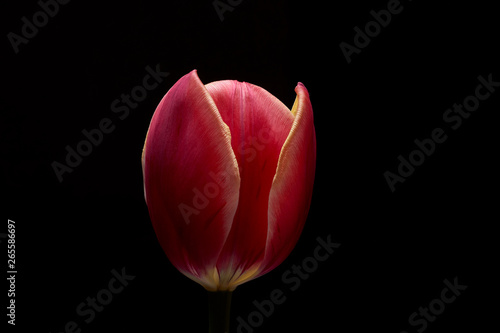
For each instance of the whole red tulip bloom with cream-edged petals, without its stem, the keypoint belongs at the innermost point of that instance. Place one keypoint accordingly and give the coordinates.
(228, 176)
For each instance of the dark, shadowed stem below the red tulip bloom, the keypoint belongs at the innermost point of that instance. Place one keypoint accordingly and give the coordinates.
(219, 304)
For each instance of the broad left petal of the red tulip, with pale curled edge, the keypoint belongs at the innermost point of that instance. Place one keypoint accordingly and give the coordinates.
(191, 179)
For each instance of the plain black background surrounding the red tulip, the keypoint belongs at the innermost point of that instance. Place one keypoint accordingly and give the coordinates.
(396, 248)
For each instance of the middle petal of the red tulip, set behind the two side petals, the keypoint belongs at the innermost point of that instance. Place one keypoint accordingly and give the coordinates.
(260, 124)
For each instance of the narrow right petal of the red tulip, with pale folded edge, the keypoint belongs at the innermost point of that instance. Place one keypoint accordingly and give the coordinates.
(292, 186)
